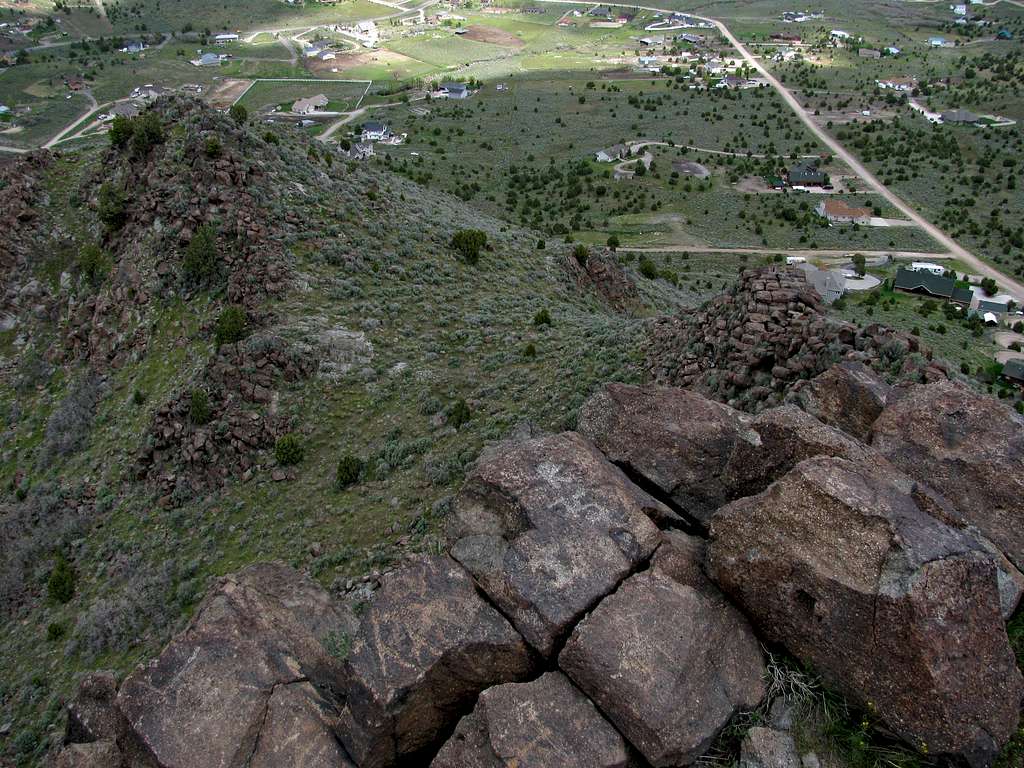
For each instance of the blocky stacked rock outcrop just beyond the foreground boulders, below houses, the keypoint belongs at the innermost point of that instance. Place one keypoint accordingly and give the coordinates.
(752, 346)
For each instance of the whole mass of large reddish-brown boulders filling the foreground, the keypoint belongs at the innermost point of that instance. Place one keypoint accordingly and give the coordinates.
(608, 596)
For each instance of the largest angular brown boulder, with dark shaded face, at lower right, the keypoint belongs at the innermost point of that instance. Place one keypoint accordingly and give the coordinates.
(844, 566)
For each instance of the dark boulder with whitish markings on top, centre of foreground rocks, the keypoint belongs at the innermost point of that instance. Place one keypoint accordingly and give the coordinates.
(548, 527)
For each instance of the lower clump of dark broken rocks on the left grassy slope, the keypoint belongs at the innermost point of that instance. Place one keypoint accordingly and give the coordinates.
(239, 383)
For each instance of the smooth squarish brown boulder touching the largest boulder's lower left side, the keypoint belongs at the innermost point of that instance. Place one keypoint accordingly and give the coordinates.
(667, 662)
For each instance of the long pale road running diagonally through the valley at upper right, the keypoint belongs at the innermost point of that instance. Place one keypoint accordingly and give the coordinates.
(1009, 284)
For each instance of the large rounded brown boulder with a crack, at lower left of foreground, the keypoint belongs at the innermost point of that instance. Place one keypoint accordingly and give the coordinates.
(205, 702)
